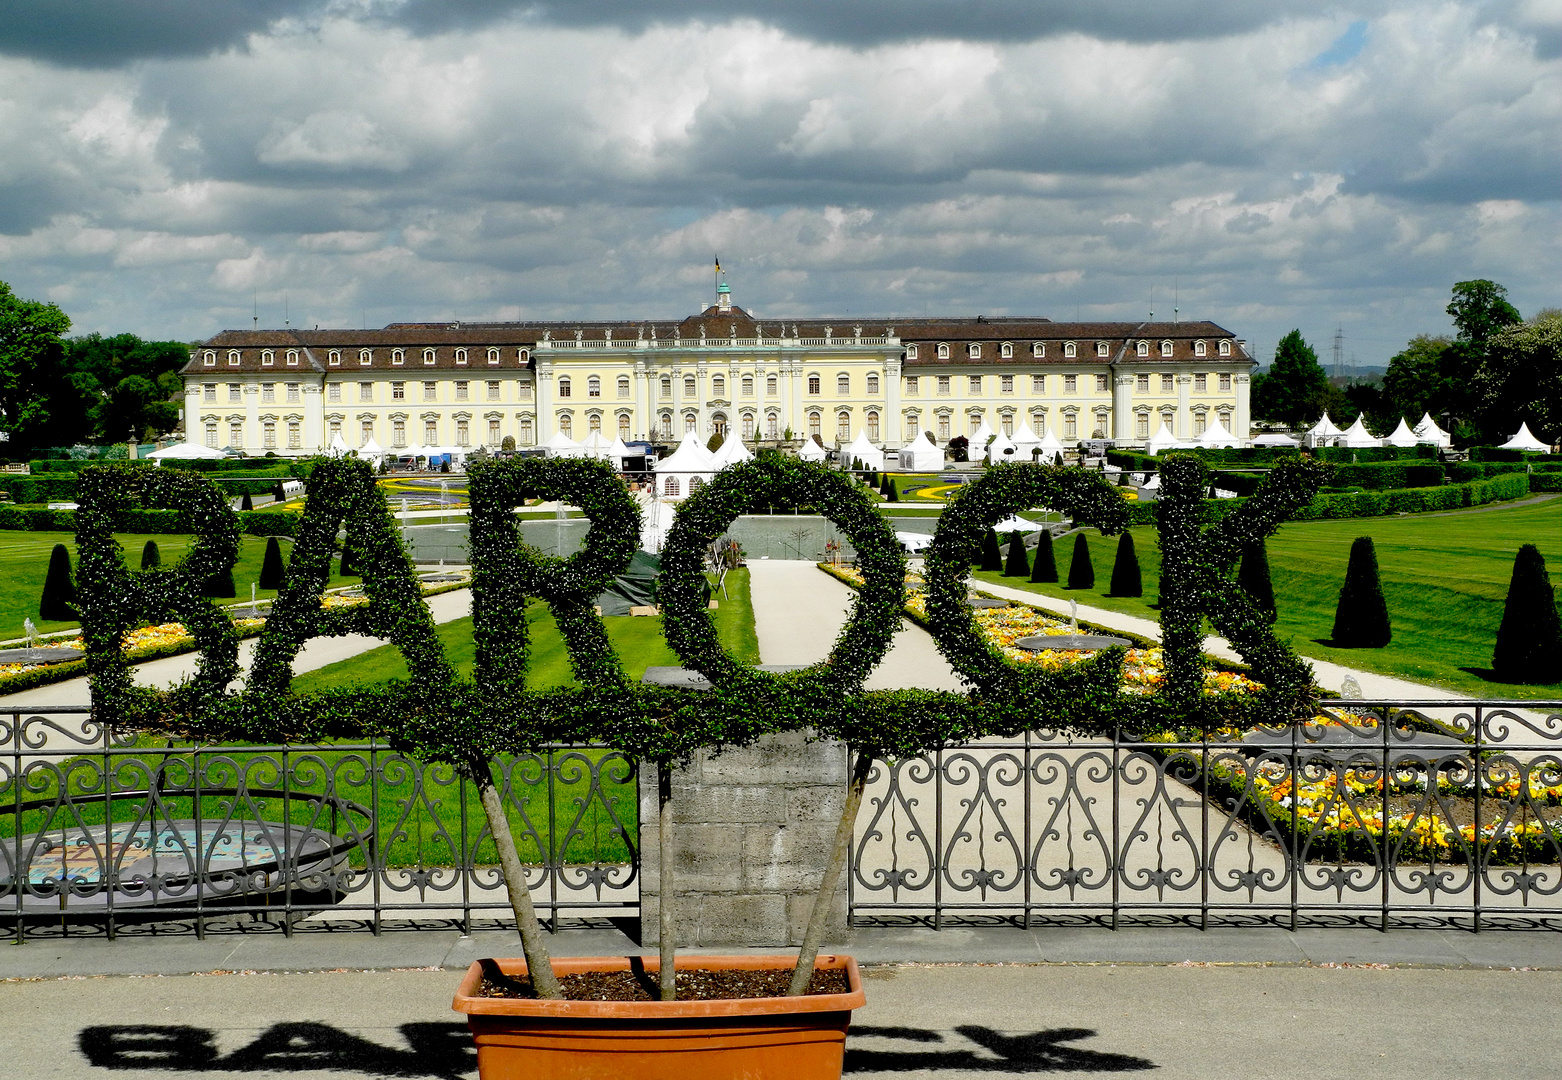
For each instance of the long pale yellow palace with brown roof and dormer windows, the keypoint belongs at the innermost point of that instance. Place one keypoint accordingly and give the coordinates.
(435, 384)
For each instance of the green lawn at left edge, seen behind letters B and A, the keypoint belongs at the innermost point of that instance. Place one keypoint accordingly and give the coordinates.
(24, 563)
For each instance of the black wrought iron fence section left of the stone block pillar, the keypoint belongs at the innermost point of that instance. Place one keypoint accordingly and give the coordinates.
(112, 834)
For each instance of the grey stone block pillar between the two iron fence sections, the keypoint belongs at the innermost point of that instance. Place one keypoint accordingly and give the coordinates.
(754, 832)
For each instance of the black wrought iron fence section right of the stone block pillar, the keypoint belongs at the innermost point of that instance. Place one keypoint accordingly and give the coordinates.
(1383, 815)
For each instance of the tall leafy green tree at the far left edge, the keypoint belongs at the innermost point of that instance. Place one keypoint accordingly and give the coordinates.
(32, 373)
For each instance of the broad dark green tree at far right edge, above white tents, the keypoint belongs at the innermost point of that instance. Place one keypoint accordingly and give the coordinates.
(1521, 381)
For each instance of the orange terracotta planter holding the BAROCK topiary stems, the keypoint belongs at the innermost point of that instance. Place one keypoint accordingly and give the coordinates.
(763, 1039)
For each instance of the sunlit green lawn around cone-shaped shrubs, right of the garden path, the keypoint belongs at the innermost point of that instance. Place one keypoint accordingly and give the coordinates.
(1446, 579)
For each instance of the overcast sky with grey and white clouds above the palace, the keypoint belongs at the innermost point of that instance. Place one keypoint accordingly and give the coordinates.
(168, 165)
